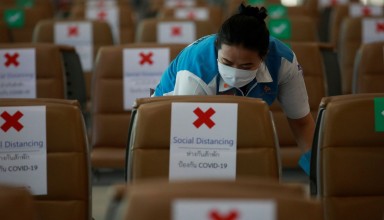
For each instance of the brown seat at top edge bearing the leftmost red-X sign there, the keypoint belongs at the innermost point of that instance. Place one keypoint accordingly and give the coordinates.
(126, 20)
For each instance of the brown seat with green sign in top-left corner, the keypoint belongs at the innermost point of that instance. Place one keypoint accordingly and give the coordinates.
(24, 30)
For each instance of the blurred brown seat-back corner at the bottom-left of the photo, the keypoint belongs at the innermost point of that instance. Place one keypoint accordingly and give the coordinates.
(16, 203)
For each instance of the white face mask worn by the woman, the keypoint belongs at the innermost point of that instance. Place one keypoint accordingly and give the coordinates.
(236, 77)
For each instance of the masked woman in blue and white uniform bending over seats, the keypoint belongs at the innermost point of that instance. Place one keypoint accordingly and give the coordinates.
(242, 59)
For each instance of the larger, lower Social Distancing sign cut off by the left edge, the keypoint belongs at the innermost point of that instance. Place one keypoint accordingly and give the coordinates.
(23, 147)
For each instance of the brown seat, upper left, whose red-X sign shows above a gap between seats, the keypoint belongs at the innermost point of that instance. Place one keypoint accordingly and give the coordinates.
(101, 36)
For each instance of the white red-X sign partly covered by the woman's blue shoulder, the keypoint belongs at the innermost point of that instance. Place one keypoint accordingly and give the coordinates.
(142, 69)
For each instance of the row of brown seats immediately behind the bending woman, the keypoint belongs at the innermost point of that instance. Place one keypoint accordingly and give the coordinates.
(110, 119)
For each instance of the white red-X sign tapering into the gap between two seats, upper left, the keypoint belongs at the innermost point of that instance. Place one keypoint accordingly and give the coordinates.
(79, 35)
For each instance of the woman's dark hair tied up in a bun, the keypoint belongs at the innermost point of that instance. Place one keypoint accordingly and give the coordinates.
(247, 28)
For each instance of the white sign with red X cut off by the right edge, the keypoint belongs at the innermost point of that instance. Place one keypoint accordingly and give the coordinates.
(373, 30)
